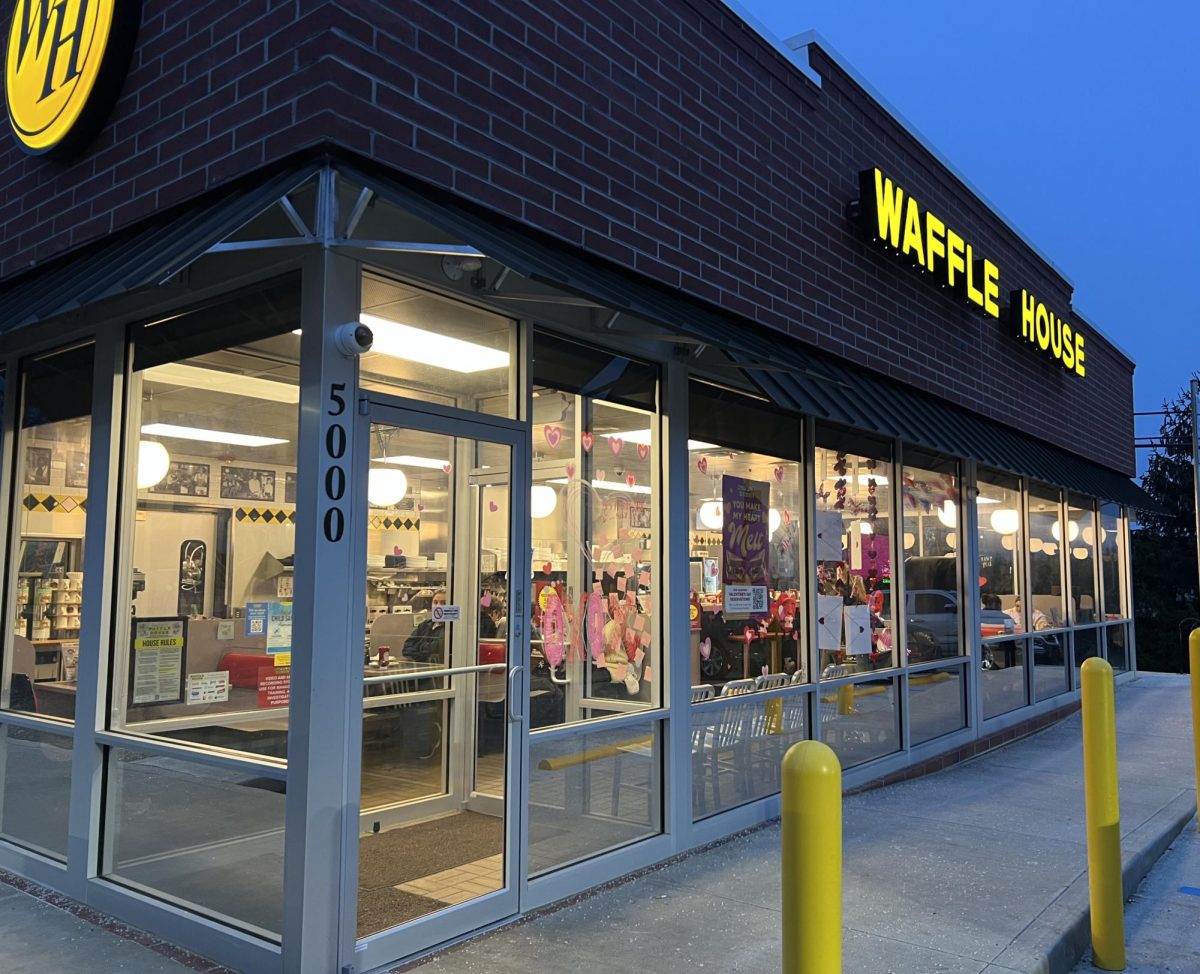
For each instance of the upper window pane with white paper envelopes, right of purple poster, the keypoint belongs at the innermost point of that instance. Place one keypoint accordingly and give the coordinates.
(854, 556)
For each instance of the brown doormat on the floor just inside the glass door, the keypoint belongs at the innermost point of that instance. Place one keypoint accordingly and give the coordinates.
(413, 852)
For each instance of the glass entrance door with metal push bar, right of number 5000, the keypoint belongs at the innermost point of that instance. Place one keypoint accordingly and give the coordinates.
(443, 696)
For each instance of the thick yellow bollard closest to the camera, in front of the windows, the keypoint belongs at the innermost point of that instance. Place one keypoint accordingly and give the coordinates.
(812, 807)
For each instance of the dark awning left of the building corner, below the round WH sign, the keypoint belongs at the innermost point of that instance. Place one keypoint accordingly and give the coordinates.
(148, 254)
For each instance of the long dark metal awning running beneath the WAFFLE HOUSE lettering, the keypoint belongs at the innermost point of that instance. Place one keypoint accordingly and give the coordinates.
(797, 378)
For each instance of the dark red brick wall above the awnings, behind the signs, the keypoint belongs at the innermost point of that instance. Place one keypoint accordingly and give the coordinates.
(667, 137)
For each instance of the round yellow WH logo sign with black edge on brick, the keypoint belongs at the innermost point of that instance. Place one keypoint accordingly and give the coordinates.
(64, 65)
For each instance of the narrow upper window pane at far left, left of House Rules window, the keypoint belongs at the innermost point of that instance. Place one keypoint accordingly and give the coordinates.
(47, 534)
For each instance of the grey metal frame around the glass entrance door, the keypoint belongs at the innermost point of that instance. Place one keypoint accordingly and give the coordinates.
(454, 922)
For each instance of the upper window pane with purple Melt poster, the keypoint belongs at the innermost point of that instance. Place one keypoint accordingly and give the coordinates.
(745, 513)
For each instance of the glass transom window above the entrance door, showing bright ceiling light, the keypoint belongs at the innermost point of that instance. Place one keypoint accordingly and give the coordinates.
(436, 350)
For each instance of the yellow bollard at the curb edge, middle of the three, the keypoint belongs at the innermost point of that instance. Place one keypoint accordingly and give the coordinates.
(1101, 795)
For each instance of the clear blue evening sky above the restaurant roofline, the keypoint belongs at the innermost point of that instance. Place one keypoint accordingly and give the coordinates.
(1079, 122)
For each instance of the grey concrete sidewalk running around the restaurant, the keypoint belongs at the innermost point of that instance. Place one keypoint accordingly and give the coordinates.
(979, 869)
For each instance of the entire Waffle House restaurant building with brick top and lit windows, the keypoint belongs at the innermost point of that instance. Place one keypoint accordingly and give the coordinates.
(449, 454)
